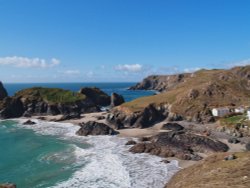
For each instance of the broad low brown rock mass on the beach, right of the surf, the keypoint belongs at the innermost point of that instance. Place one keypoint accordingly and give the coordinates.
(182, 145)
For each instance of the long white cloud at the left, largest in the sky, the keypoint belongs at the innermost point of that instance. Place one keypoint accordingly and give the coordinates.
(25, 62)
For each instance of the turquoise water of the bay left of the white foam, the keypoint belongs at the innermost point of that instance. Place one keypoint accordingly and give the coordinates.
(32, 160)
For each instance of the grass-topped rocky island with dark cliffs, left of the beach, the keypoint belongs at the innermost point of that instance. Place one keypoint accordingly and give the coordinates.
(49, 101)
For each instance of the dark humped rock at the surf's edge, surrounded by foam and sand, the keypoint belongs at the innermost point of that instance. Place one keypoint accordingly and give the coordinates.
(95, 128)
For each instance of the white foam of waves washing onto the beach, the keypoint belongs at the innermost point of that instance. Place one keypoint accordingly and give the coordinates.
(109, 165)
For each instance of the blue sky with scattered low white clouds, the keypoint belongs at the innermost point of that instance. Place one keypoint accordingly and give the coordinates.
(119, 40)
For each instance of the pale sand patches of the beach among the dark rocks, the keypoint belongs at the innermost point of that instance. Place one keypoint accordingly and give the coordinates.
(136, 133)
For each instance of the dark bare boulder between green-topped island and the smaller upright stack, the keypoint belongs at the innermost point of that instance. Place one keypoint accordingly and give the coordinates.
(96, 95)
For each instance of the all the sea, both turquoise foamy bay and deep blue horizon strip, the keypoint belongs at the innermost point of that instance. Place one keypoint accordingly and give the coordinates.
(49, 154)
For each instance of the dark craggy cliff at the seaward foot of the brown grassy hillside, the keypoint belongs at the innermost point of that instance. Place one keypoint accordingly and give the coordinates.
(148, 117)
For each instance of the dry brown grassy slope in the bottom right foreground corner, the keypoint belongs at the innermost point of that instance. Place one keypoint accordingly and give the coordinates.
(215, 172)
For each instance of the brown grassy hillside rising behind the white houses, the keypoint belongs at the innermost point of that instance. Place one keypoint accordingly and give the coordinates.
(205, 89)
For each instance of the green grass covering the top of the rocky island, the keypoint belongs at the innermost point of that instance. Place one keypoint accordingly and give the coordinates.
(51, 95)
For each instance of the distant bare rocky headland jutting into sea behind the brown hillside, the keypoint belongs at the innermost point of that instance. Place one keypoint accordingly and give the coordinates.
(161, 82)
